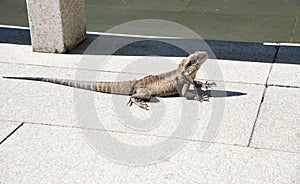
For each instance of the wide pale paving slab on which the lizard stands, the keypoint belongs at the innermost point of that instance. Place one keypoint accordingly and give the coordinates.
(47, 103)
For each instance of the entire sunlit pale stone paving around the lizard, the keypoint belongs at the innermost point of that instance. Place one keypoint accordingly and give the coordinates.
(247, 133)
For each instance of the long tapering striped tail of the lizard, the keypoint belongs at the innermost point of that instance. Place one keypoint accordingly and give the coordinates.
(122, 88)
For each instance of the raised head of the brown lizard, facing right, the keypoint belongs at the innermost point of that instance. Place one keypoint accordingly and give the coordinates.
(190, 65)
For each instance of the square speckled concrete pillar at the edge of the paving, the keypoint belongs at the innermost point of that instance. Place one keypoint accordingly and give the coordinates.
(56, 26)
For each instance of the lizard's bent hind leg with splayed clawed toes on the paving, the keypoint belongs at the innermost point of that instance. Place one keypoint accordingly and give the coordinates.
(140, 98)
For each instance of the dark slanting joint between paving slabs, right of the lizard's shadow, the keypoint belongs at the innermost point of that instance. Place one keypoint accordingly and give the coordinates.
(277, 47)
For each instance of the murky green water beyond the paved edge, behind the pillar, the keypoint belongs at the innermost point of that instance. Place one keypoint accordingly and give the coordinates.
(234, 20)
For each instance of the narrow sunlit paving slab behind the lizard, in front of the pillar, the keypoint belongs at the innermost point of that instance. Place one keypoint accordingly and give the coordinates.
(223, 70)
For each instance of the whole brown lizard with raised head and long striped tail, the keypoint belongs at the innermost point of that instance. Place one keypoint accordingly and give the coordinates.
(167, 84)
